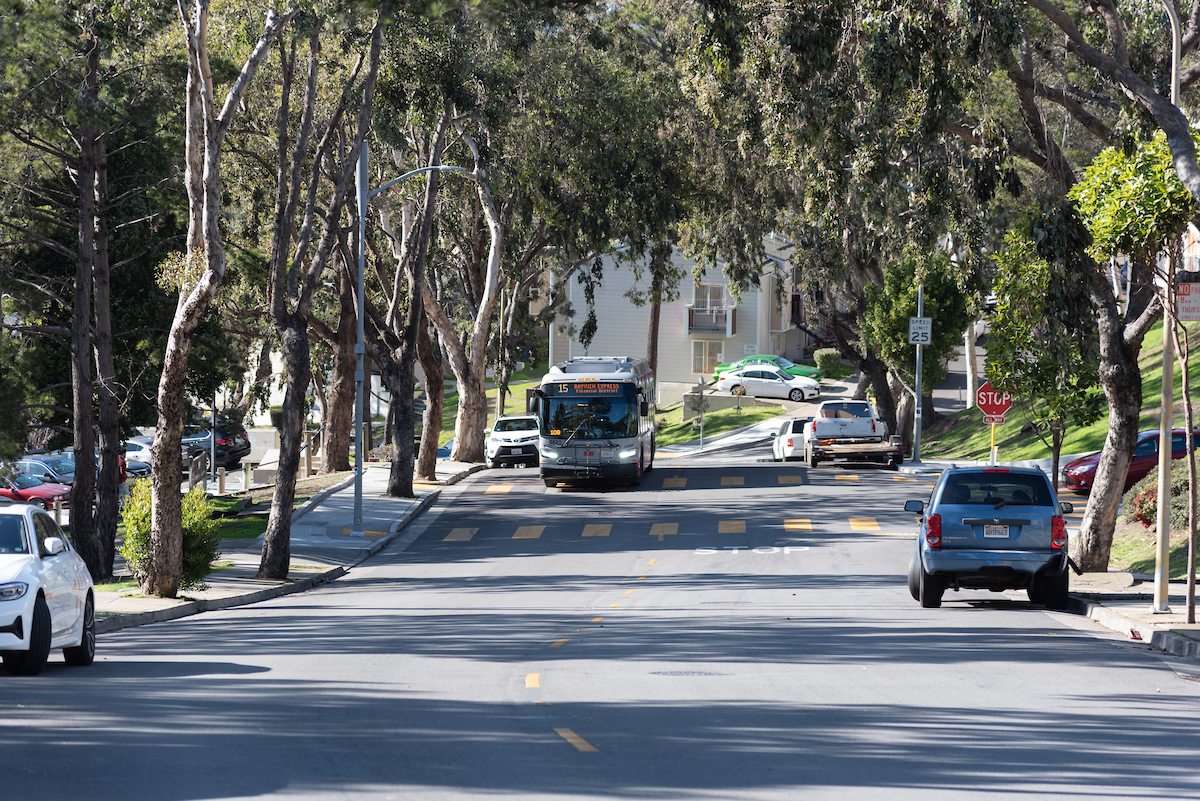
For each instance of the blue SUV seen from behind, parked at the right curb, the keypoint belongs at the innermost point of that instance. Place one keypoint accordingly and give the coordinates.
(991, 529)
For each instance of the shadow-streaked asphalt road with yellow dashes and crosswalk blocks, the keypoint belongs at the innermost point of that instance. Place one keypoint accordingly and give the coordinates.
(734, 629)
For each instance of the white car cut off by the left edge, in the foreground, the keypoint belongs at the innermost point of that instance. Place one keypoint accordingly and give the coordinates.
(46, 593)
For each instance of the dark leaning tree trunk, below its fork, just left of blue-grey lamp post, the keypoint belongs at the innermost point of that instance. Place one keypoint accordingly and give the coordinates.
(278, 540)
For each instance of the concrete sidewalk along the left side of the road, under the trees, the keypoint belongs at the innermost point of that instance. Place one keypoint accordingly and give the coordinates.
(323, 547)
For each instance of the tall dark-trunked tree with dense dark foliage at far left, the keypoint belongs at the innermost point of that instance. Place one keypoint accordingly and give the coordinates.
(85, 124)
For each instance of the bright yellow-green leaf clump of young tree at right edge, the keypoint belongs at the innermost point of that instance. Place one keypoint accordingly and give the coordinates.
(1133, 203)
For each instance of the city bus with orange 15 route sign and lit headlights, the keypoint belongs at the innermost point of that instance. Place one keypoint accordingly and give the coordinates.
(596, 418)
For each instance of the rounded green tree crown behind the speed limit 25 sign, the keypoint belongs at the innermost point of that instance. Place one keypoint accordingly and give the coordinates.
(889, 309)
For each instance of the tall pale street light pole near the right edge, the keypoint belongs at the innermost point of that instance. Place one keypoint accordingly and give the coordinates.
(1163, 550)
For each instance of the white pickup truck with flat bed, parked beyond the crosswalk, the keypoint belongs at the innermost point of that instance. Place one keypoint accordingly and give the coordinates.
(849, 431)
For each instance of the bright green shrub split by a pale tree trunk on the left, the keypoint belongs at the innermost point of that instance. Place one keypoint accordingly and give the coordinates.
(201, 535)
